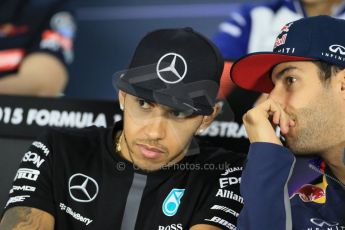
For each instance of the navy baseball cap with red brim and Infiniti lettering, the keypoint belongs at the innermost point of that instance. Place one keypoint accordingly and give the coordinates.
(307, 39)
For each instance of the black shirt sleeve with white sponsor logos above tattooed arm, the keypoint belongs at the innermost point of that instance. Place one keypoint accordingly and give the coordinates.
(32, 184)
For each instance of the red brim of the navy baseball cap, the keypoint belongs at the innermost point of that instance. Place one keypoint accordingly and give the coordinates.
(252, 72)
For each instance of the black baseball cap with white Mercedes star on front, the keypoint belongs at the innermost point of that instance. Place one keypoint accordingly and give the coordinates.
(178, 68)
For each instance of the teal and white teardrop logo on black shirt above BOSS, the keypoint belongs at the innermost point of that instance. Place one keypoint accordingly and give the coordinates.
(172, 202)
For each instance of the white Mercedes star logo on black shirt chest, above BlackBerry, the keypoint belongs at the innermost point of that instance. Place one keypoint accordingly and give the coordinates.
(82, 188)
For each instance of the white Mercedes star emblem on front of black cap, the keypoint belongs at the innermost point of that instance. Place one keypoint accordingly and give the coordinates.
(171, 68)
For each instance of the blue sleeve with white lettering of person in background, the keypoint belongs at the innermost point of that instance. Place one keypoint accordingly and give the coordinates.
(233, 34)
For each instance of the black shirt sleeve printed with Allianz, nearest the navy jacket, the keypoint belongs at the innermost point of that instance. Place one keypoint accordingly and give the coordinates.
(223, 202)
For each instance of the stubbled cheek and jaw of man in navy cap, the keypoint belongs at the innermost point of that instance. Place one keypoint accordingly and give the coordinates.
(317, 127)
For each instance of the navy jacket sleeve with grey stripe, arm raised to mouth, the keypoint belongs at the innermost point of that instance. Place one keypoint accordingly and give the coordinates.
(264, 188)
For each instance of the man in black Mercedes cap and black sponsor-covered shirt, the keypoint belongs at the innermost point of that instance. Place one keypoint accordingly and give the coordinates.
(147, 172)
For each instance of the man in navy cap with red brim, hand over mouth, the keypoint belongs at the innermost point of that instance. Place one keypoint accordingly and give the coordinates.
(305, 79)
